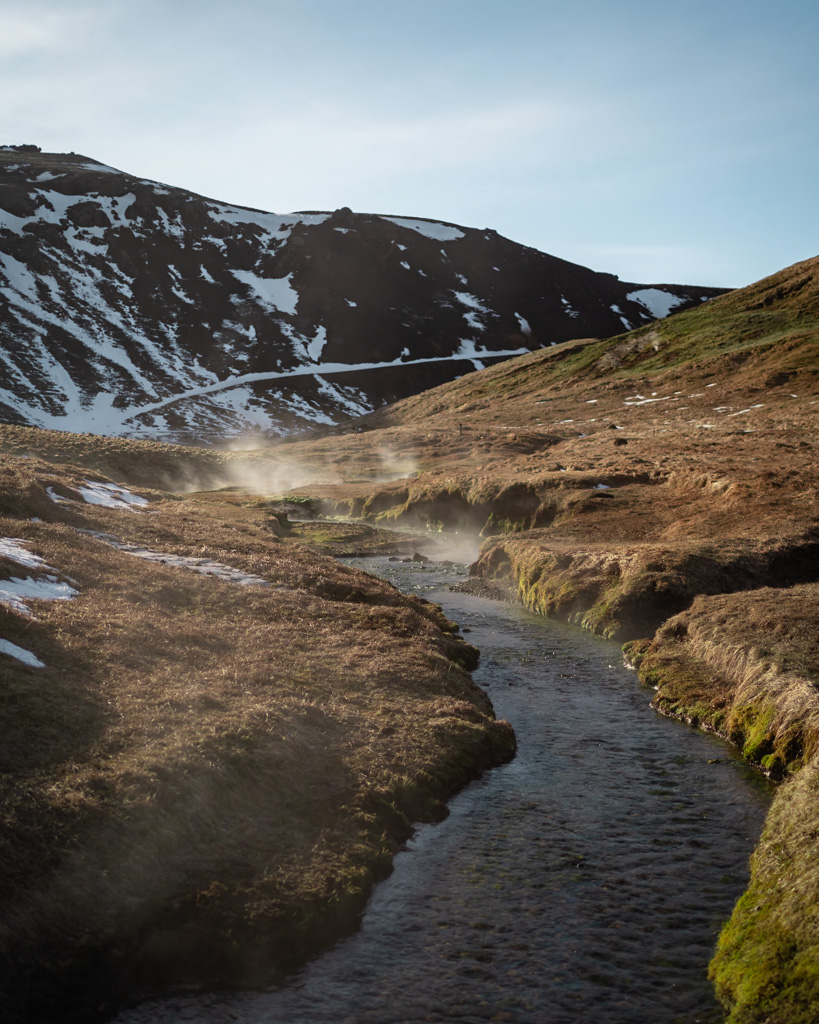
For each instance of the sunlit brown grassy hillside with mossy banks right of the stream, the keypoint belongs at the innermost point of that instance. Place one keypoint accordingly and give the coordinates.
(708, 528)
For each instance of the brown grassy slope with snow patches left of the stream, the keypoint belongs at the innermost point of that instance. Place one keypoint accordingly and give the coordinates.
(205, 779)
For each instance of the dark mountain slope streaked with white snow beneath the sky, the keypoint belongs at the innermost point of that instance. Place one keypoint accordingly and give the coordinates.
(133, 309)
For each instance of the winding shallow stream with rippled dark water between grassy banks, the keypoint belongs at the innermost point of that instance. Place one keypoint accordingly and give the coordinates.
(585, 883)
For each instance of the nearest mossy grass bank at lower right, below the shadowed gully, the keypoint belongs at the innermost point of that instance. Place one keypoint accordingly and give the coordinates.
(747, 666)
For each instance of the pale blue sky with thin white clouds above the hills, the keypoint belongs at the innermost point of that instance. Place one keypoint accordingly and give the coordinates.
(662, 143)
